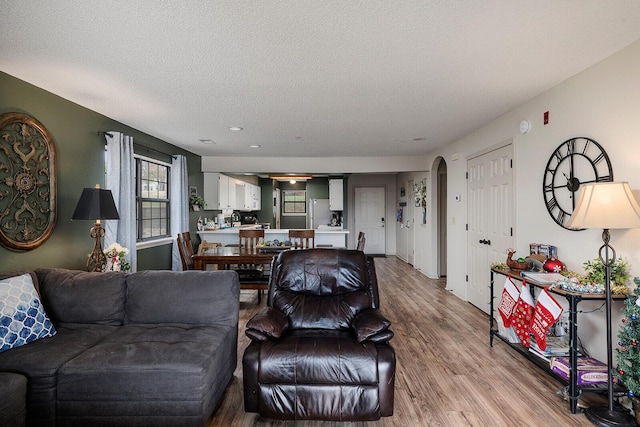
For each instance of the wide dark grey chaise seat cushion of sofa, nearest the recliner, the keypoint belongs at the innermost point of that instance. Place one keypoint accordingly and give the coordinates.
(150, 370)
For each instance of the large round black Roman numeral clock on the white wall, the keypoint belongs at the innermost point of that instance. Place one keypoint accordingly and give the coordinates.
(575, 162)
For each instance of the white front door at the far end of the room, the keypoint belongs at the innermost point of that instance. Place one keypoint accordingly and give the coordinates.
(369, 217)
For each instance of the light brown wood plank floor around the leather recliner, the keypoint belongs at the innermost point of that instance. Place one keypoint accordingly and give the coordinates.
(447, 375)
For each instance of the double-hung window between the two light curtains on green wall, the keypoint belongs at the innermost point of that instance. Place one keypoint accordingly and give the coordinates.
(152, 199)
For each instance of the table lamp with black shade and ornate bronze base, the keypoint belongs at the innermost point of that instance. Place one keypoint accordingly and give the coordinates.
(96, 203)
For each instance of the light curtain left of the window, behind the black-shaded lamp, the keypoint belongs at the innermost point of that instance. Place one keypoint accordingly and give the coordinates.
(121, 181)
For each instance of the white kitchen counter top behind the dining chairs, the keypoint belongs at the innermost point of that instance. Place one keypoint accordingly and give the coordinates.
(333, 237)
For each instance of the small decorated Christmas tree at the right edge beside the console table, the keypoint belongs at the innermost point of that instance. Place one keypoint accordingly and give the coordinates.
(628, 352)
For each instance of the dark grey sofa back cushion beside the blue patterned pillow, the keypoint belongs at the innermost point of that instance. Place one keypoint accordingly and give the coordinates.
(73, 296)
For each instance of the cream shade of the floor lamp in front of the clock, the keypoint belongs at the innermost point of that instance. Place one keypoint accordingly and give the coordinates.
(606, 205)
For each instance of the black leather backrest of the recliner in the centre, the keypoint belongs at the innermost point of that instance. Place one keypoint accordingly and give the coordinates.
(322, 288)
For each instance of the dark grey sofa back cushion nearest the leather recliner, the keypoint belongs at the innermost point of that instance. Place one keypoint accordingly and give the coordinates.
(194, 297)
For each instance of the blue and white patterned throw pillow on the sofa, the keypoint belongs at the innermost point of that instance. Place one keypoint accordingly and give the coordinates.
(22, 317)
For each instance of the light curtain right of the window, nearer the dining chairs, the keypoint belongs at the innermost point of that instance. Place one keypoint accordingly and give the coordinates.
(179, 206)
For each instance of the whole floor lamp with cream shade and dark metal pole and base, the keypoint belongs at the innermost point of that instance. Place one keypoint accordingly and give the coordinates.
(607, 205)
